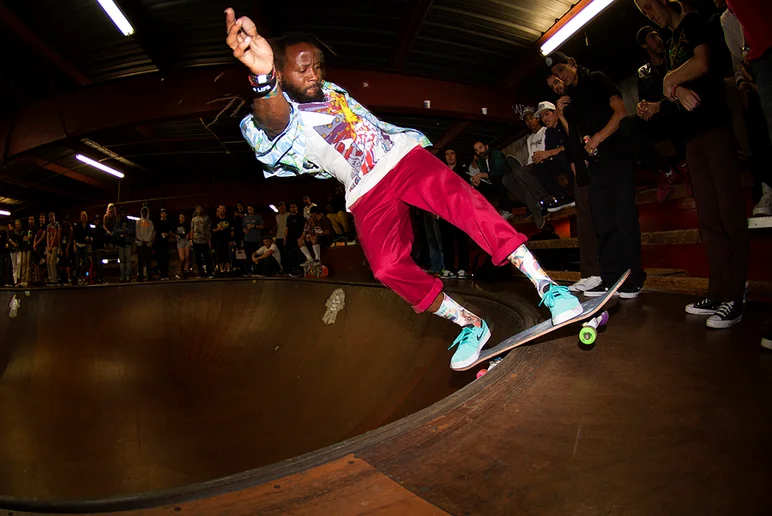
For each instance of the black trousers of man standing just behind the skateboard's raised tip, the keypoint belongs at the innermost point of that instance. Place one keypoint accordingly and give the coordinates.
(612, 198)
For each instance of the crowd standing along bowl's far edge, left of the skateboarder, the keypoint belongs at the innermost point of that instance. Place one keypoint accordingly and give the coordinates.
(44, 251)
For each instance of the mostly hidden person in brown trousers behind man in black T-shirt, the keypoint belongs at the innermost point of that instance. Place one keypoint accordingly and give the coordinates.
(589, 266)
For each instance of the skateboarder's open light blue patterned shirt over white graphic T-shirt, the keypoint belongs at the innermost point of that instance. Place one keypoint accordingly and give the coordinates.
(286, 154)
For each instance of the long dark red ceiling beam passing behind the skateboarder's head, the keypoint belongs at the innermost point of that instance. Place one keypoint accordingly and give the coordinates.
(199, 92)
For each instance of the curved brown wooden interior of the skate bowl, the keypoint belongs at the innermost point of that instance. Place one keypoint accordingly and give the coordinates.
(118, 397)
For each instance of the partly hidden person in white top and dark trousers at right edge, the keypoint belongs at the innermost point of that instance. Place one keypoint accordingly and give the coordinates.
(759, 136)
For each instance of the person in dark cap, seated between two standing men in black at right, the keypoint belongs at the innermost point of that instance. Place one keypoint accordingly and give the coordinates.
(643, 129)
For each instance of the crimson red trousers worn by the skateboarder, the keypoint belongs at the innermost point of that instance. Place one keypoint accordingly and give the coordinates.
(383, 223)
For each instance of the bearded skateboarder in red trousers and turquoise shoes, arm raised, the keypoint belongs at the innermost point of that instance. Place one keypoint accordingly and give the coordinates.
(301, 123)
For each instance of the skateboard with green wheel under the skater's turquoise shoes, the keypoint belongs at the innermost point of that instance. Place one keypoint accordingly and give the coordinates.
(591, 317)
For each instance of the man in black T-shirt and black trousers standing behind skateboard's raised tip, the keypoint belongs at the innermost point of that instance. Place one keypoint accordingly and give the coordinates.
(596, 111)
